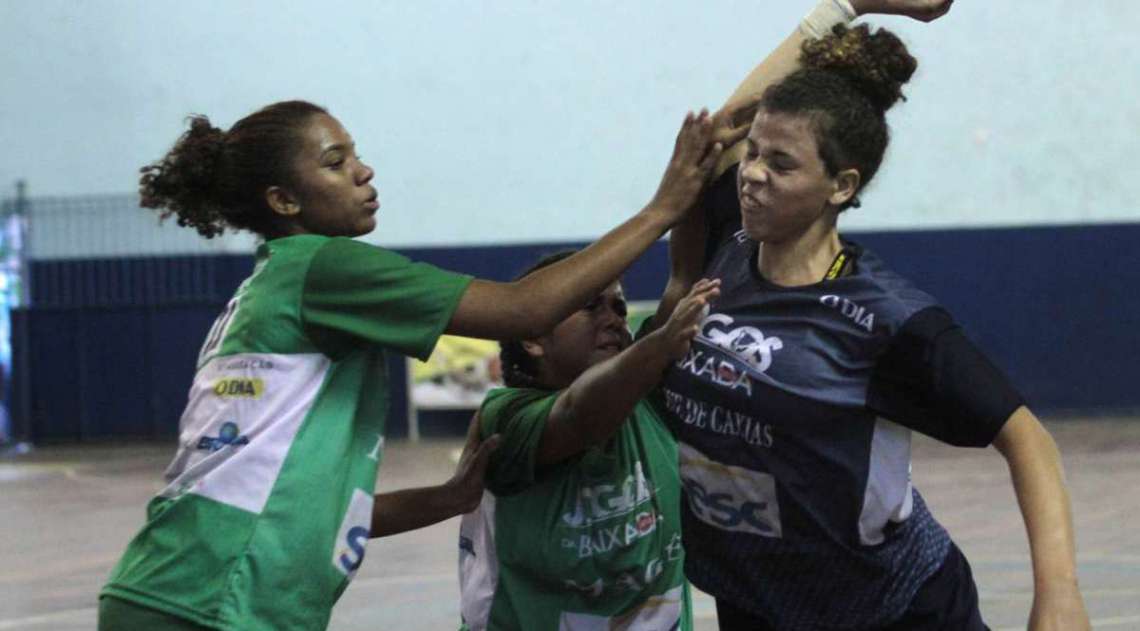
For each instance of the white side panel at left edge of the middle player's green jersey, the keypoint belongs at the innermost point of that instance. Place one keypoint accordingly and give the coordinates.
(478, 564)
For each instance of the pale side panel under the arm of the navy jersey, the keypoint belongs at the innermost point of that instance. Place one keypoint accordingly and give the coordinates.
(889, 482)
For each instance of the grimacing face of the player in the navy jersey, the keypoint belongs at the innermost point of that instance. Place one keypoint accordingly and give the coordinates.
(783, 183)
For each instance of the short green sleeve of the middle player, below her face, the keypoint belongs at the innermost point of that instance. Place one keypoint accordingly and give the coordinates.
(519, 415)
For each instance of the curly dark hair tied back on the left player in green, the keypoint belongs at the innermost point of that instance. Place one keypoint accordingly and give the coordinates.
(213, 179)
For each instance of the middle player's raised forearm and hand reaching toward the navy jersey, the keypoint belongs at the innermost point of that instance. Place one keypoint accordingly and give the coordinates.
(598, 403)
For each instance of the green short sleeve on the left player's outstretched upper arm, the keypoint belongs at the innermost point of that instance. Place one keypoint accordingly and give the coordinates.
(355, 292)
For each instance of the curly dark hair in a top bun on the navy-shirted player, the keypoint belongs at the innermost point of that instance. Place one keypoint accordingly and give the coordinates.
(849, 83)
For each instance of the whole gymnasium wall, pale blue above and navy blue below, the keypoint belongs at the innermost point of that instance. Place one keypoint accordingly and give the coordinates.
(1008, 191)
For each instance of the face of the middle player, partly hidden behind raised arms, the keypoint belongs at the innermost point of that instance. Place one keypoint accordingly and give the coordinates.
(593, 334)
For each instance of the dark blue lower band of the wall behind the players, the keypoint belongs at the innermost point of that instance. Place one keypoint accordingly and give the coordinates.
(109, 349)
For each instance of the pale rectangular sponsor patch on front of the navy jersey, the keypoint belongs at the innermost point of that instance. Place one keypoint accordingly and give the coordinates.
(730, 498)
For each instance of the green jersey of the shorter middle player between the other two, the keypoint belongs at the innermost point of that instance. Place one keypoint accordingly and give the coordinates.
(589, 544)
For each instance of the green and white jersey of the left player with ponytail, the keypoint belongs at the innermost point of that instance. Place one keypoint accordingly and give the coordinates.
(270, 501)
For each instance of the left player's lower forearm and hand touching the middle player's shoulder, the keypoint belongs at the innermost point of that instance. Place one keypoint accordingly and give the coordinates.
(414, 509)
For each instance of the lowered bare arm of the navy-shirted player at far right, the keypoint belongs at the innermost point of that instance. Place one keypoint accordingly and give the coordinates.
(1039, 481)
